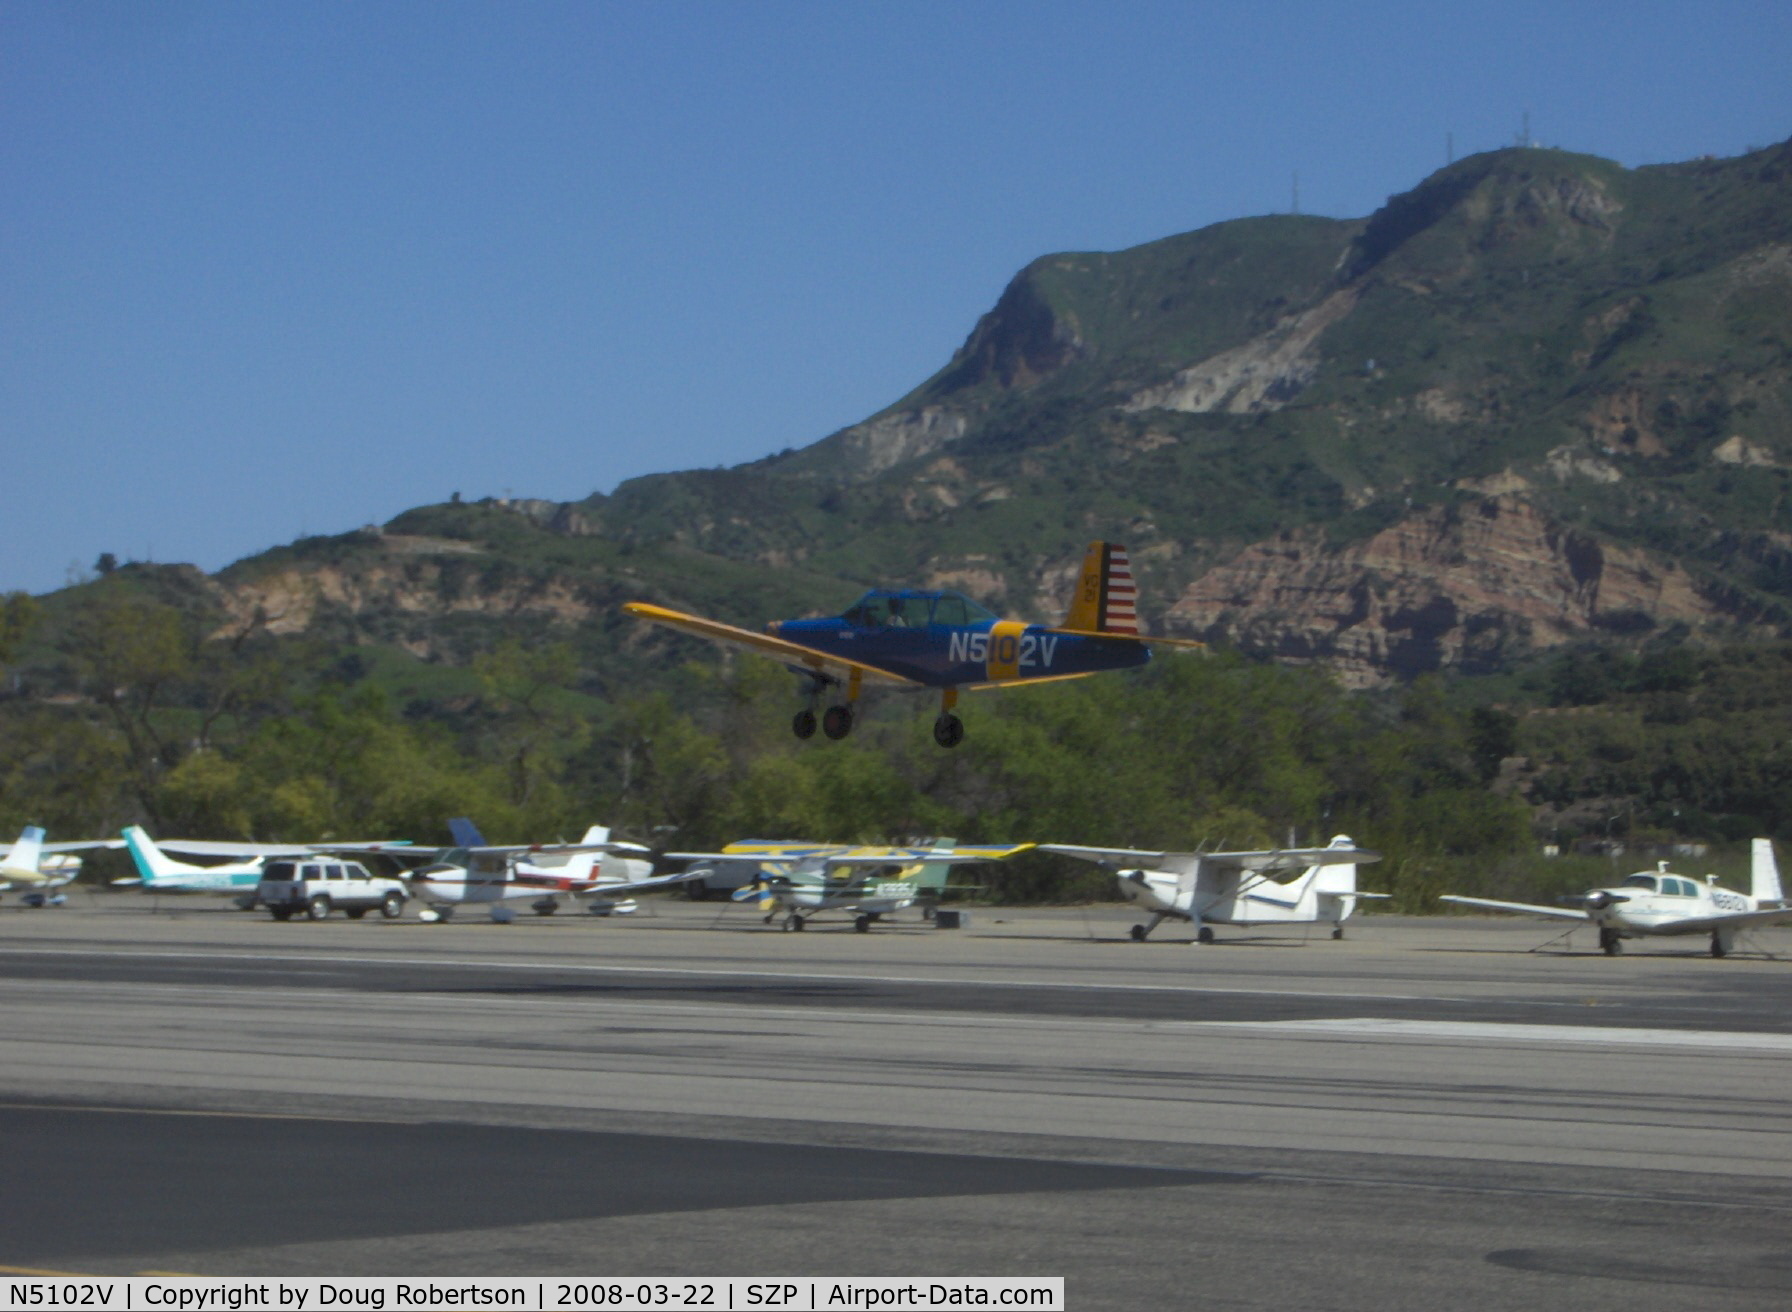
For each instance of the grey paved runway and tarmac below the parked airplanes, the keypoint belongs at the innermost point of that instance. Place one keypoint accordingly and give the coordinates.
(1427, 1114)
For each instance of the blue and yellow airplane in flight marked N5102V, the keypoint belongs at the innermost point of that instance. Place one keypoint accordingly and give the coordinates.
(918, 639)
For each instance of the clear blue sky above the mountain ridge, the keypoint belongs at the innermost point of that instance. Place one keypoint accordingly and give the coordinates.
(279, 270)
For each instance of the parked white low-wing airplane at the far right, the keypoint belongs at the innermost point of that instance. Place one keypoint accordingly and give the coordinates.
(1660, 902)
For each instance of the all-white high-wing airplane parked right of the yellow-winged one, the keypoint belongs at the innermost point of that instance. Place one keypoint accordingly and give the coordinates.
(1237, 888)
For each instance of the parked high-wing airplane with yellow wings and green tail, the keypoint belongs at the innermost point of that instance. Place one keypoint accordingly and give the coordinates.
(866, 883)
